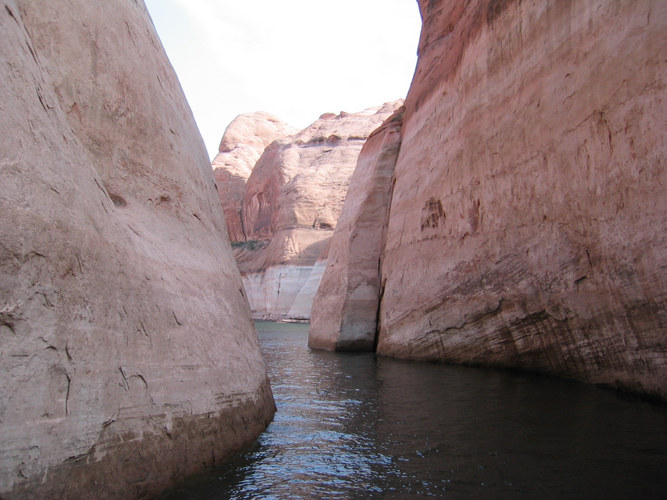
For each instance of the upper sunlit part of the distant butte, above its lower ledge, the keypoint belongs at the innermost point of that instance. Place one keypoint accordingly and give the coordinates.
(301, 181)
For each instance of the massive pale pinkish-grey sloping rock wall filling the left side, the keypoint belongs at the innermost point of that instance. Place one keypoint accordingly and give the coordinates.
(127, 352)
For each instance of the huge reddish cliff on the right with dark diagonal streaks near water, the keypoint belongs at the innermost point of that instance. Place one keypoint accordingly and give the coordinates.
(528, 221)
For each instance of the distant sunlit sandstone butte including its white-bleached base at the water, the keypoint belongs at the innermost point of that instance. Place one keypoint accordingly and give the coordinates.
(293, 199)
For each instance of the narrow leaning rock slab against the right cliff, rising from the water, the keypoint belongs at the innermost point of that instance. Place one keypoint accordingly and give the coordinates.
(345, 308)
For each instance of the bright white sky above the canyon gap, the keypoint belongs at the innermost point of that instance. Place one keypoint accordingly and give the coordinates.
(296, 59)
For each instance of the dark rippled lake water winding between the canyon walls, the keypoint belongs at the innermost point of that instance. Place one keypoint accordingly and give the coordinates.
(358, 426)
